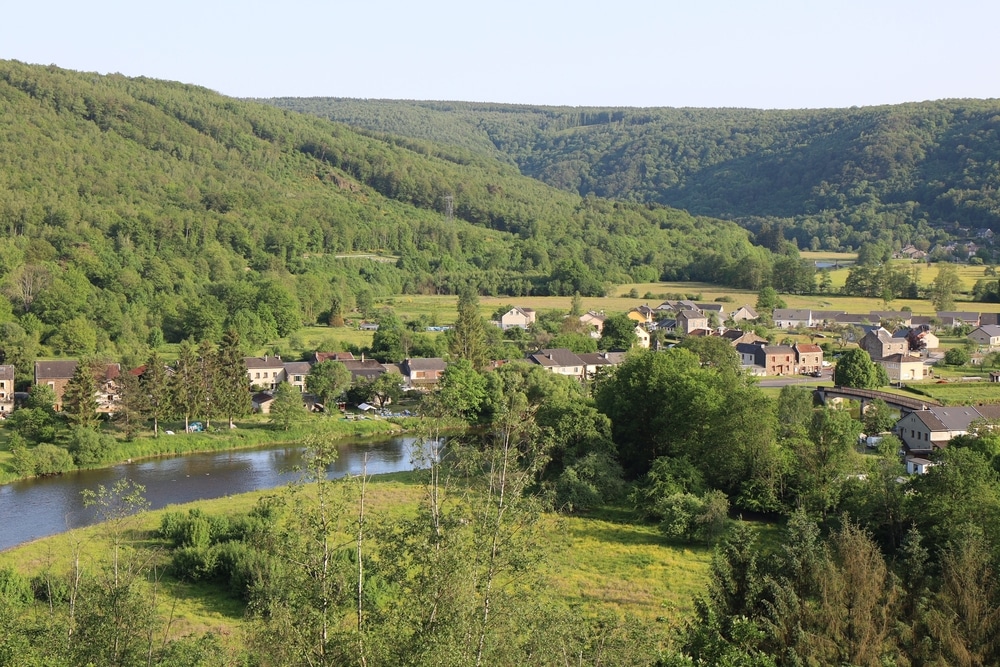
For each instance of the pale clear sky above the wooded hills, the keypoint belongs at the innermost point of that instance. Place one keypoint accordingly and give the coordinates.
(769, 54)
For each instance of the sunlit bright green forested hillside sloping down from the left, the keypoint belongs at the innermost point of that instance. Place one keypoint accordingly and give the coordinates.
(135, 209)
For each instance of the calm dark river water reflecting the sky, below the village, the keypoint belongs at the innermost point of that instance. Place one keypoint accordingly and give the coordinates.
(36, 508)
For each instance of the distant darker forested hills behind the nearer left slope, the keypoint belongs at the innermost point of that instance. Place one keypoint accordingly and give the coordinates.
(835, 177)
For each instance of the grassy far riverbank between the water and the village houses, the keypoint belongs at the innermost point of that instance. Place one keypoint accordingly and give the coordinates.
(247, 434)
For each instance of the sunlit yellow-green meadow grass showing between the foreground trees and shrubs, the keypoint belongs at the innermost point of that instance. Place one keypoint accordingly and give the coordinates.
(603, 563)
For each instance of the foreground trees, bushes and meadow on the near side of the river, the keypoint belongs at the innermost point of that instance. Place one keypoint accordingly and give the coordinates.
(866, 569)
